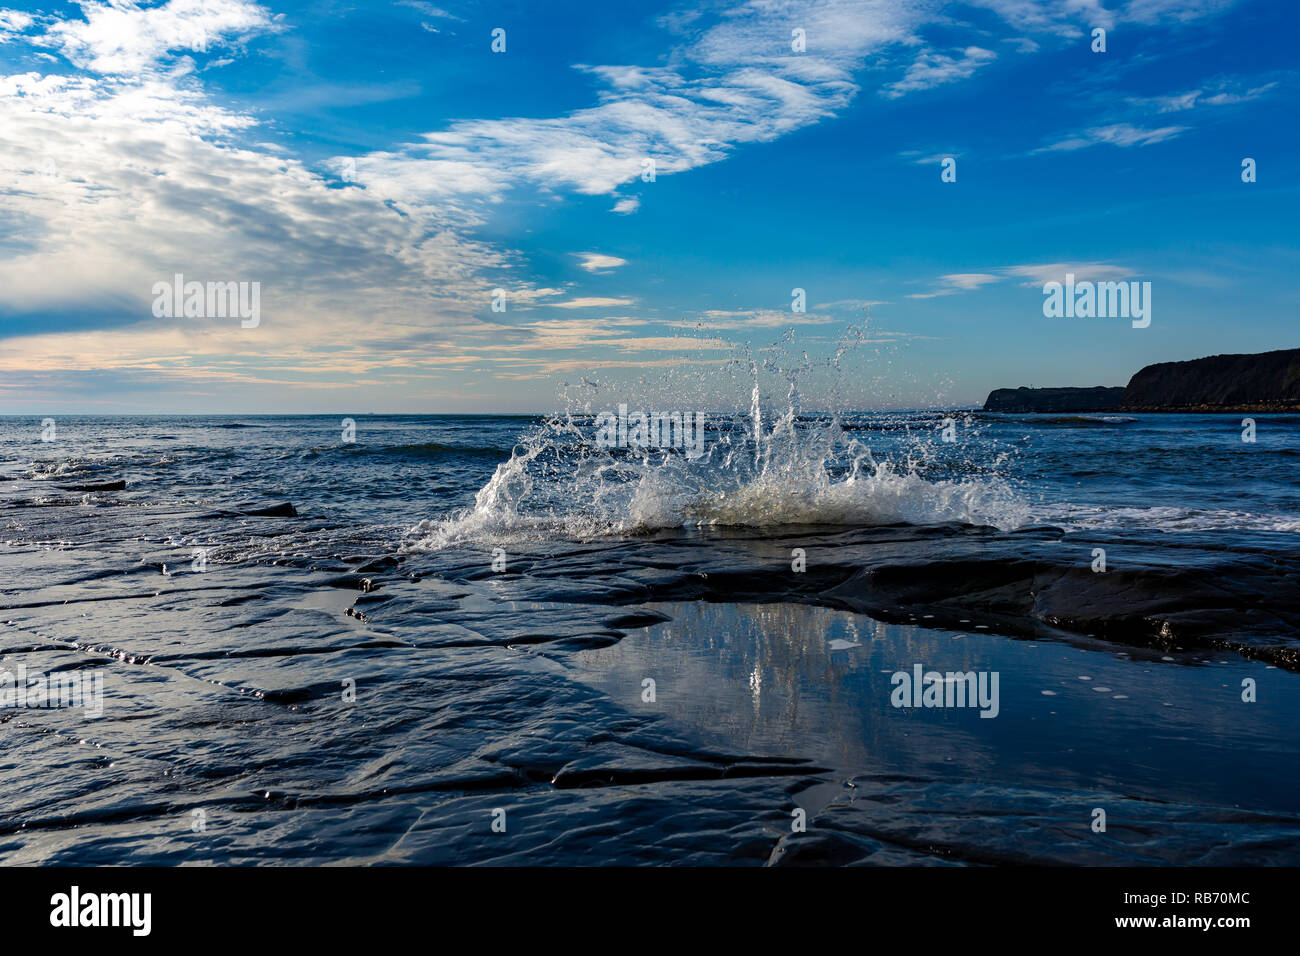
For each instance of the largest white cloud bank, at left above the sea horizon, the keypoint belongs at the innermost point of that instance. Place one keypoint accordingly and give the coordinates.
(110, 185)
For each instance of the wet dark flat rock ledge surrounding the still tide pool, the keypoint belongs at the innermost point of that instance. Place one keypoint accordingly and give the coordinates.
(228, 734)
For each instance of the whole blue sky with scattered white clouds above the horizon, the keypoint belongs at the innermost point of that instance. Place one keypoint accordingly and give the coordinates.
(379, 171)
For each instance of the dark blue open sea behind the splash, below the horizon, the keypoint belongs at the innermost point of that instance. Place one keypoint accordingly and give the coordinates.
(1146, 473)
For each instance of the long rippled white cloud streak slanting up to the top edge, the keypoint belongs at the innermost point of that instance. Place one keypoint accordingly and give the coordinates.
(727, 85)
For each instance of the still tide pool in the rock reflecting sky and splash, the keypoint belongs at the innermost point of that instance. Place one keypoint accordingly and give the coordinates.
(799, 681)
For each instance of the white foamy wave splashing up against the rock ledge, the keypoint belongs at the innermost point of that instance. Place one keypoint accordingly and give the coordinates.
(561, 482)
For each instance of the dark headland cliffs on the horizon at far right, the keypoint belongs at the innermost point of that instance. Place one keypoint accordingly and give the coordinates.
(1247, 383)
